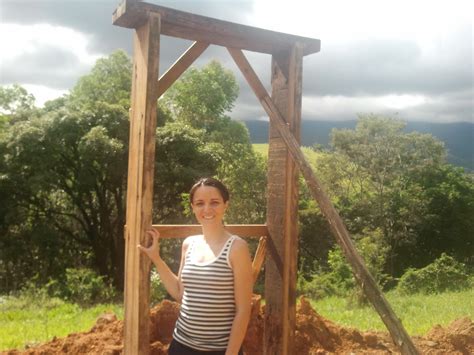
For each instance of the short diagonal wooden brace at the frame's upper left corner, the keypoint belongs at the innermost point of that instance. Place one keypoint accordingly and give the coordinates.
(180, 66)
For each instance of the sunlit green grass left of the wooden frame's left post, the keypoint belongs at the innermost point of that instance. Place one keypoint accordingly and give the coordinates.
(28, 321)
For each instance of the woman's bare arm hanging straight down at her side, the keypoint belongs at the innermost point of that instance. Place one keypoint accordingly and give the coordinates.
(243, 285)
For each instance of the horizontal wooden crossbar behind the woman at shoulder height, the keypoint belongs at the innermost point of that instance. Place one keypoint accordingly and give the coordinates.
(185, 230)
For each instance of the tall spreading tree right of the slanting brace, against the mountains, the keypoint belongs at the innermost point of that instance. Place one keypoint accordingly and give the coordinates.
(388, 158)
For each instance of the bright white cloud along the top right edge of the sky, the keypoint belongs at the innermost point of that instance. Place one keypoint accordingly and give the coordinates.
(345, 21)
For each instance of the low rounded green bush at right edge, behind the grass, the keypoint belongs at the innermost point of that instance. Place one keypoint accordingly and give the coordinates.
(444, 274)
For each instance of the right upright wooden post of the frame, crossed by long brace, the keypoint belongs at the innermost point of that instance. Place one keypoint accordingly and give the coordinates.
(282, 207)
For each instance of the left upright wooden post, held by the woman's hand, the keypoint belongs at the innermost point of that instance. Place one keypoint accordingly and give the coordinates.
(140, 183)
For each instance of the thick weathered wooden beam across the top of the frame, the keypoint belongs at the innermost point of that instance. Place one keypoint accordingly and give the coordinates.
(193, 27)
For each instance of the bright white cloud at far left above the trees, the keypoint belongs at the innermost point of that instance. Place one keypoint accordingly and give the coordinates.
(47, 59)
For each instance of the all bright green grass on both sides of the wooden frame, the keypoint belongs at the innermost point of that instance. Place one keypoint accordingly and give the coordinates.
(28, 322)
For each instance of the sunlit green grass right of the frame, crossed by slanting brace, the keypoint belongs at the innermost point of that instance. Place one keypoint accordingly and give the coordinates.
(419, 313)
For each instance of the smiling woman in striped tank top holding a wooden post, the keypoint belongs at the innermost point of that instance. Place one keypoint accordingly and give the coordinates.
(214, 282)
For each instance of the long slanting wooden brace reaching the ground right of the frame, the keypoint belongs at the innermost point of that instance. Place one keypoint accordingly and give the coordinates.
(362, 275)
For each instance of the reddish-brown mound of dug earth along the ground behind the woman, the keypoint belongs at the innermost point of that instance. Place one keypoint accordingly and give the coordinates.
(314, 335)
